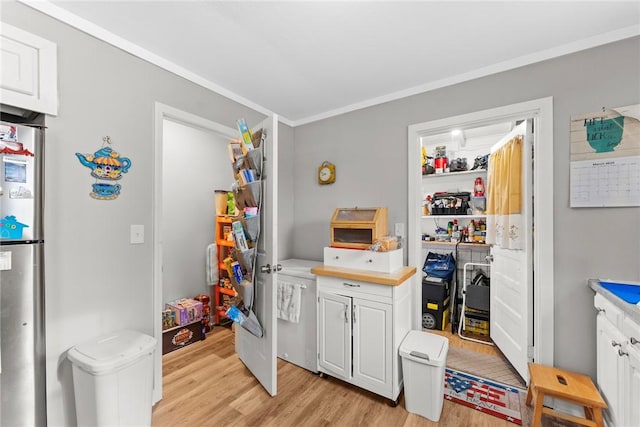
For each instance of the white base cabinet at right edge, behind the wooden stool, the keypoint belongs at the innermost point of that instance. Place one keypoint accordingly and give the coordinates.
(618, 363)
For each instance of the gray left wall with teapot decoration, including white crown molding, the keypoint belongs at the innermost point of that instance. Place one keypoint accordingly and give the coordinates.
(96, 281)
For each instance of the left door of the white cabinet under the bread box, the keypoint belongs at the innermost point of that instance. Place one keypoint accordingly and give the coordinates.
(334, 334)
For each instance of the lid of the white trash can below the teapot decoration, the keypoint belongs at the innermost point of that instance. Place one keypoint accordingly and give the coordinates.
(111, 352)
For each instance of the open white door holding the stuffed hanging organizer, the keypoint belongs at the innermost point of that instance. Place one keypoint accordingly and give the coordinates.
(259, 354)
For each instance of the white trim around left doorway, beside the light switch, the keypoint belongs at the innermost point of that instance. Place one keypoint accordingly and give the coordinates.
(164, 112)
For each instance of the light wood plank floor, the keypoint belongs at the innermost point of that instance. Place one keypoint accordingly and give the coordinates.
(205, 384)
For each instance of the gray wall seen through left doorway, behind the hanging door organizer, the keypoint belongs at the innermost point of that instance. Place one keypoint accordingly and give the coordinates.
(195, 163)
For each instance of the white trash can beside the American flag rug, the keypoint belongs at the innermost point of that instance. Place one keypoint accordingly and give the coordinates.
(424, 356)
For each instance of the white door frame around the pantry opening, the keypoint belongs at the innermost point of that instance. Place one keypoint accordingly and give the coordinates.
(541, 110)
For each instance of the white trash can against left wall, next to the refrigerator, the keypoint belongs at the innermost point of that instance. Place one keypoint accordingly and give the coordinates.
(113, 379)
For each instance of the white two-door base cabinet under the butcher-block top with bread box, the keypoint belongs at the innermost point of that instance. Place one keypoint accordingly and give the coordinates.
(360, 327)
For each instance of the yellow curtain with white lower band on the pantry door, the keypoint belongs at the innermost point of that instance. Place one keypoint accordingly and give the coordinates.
(504, 196)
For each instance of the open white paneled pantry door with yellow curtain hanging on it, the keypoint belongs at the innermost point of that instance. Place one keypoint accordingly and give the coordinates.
(511, 307)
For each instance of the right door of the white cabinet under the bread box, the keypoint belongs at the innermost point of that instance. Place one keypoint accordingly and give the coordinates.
(372, 345)
